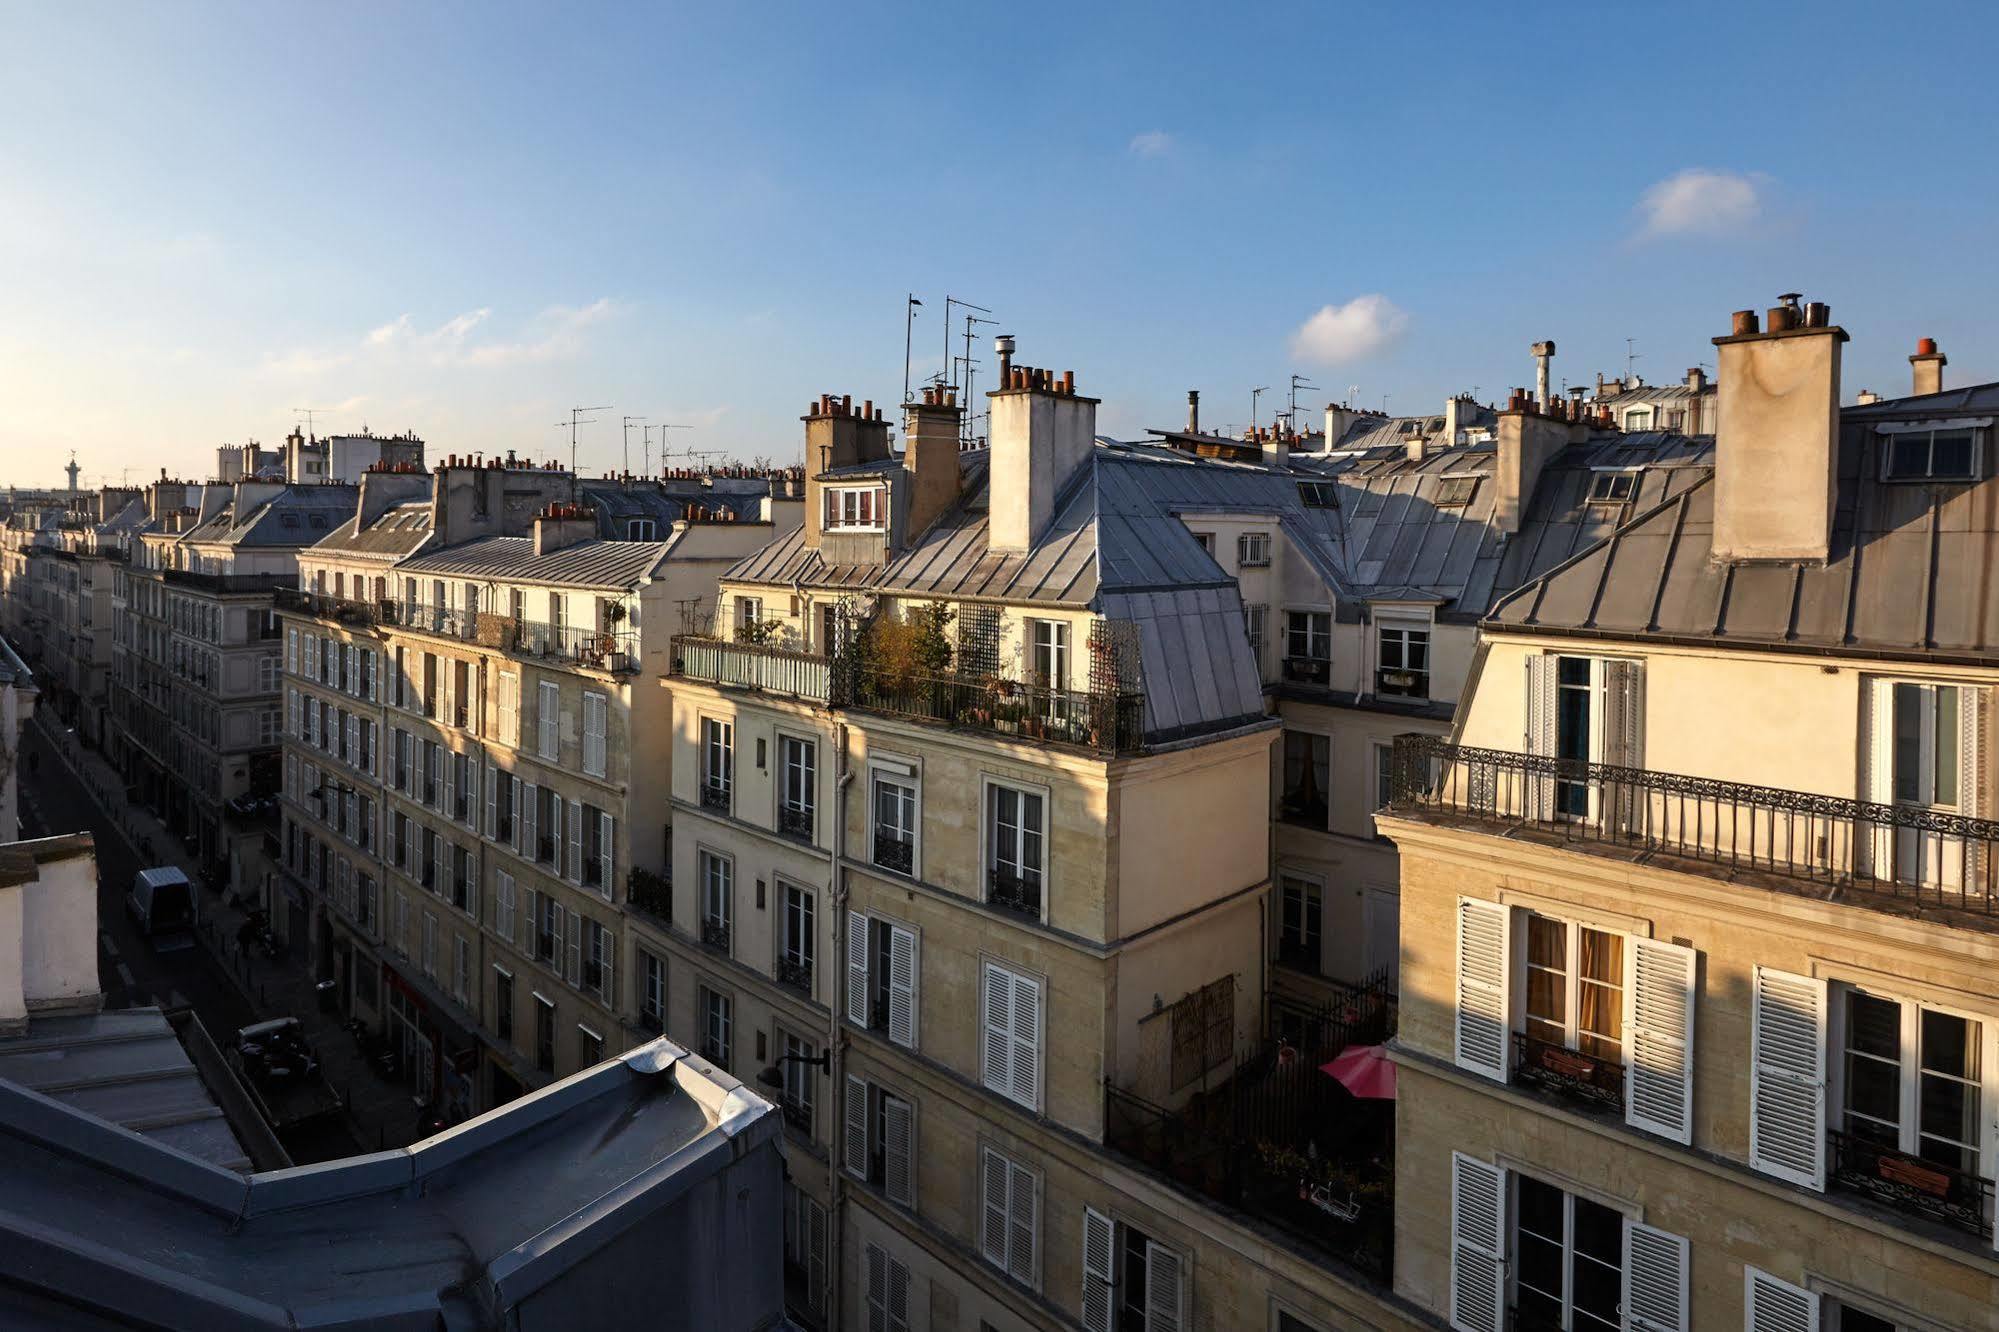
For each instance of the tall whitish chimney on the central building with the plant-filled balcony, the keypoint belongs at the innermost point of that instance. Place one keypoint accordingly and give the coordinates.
(1042, 431)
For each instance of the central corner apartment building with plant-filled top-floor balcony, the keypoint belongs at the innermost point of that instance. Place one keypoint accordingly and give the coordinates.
(971, 795)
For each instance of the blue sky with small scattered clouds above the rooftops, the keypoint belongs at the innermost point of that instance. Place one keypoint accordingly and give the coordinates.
(465, 221)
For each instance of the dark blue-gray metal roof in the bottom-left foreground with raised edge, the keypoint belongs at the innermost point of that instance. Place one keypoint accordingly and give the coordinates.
(641, 1193)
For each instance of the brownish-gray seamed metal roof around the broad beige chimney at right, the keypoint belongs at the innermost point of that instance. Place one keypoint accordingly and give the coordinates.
(1914, 569)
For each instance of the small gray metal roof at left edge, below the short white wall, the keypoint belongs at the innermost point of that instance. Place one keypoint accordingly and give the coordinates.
(127, 1069)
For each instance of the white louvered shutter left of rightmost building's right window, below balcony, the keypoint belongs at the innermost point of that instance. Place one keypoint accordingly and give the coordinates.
(1788, 1077)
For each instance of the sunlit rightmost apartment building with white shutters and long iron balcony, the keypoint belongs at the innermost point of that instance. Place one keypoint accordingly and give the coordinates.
(1698, 999)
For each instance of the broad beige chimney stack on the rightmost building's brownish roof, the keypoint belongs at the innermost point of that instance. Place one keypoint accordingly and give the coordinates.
(1778, 435)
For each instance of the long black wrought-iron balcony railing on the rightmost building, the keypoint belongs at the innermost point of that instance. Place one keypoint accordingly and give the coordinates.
(1916, 853)
